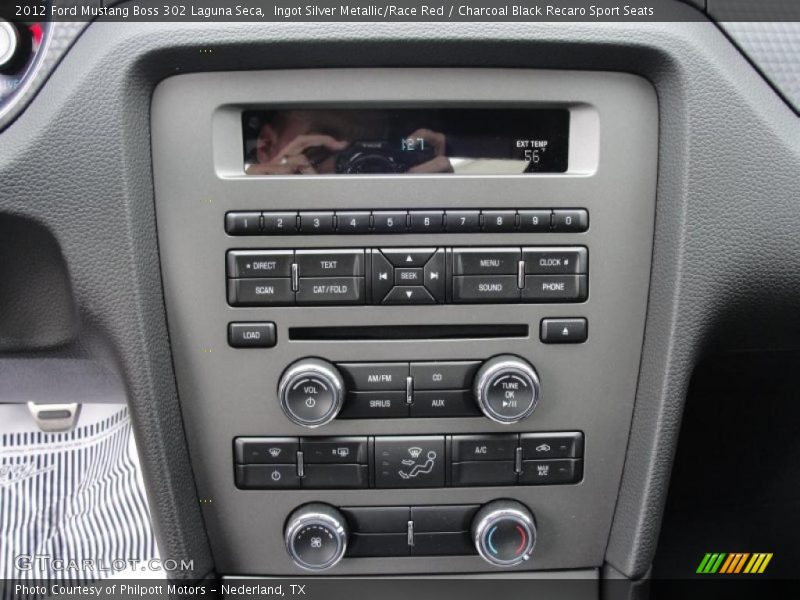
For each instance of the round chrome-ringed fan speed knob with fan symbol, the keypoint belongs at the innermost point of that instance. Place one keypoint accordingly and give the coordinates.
(316, 536)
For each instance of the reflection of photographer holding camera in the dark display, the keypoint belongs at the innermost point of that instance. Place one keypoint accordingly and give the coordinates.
(306, 142)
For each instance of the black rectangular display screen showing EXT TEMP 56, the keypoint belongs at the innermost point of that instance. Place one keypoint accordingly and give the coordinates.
(475, 141)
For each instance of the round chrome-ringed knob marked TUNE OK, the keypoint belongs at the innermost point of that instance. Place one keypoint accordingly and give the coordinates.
(507, 388)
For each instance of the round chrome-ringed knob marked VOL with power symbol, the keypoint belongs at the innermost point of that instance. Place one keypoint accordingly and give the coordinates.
(311, 392)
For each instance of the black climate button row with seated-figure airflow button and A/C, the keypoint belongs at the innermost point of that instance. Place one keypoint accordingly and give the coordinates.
(413, 461)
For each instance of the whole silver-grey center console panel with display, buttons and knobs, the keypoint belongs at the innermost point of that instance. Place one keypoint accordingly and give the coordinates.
(415, 354)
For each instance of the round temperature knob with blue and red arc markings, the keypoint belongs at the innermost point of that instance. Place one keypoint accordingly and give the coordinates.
(504, 533)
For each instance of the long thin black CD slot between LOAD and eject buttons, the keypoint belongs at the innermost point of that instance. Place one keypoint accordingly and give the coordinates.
(407, 332)
